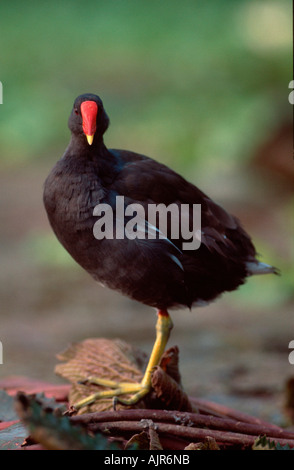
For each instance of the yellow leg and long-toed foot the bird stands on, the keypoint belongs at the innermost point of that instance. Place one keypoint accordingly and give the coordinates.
(139, 390)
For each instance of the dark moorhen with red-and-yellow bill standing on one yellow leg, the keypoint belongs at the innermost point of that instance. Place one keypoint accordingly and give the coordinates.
(153, 269)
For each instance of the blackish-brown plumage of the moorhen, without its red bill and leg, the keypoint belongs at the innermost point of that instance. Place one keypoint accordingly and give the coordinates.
(155, 272)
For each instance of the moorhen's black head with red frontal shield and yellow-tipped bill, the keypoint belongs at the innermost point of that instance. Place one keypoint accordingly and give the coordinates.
(88, 118)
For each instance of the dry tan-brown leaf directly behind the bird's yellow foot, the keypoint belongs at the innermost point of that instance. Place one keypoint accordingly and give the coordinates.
(102, 358)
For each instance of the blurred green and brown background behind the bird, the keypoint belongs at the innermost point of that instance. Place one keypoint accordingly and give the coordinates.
(201, 86)
